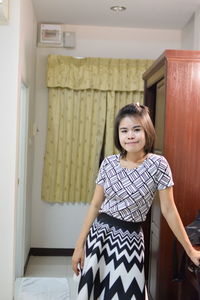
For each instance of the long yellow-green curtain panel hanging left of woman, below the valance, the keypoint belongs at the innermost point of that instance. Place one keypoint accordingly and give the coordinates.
(76, 121)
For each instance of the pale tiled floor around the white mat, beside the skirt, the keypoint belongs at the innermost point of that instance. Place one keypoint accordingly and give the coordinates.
(53, 266)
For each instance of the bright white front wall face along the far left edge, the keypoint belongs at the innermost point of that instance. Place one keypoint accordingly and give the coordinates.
(9, 41)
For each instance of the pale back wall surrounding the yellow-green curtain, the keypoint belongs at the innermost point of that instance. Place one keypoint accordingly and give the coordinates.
(58, 225)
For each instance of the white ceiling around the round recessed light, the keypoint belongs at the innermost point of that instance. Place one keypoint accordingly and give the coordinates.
(163, 14)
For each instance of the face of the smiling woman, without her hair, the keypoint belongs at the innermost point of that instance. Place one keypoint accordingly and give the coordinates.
(131, 135)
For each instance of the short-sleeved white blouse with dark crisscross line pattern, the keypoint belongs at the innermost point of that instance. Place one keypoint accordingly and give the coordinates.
(129, 193)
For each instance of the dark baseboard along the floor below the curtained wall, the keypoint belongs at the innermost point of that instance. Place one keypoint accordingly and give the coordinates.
(48, 252)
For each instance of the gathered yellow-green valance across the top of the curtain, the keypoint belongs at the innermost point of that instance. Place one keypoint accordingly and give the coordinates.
(105, 74)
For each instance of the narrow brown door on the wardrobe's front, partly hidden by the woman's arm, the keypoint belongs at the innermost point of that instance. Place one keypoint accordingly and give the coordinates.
(155, 211)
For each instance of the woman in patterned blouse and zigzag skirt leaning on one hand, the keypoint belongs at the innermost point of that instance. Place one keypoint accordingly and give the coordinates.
(110, 250)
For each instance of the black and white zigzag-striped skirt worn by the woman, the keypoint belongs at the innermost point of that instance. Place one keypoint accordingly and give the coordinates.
(114, 261)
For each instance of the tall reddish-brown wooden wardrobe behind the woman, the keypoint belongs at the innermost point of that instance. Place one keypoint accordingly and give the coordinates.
(172, 93)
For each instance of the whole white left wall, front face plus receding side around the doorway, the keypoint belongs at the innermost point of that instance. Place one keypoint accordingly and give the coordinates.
(17, 64)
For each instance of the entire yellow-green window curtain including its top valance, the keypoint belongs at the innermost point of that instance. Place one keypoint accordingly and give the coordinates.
(84, 97)
